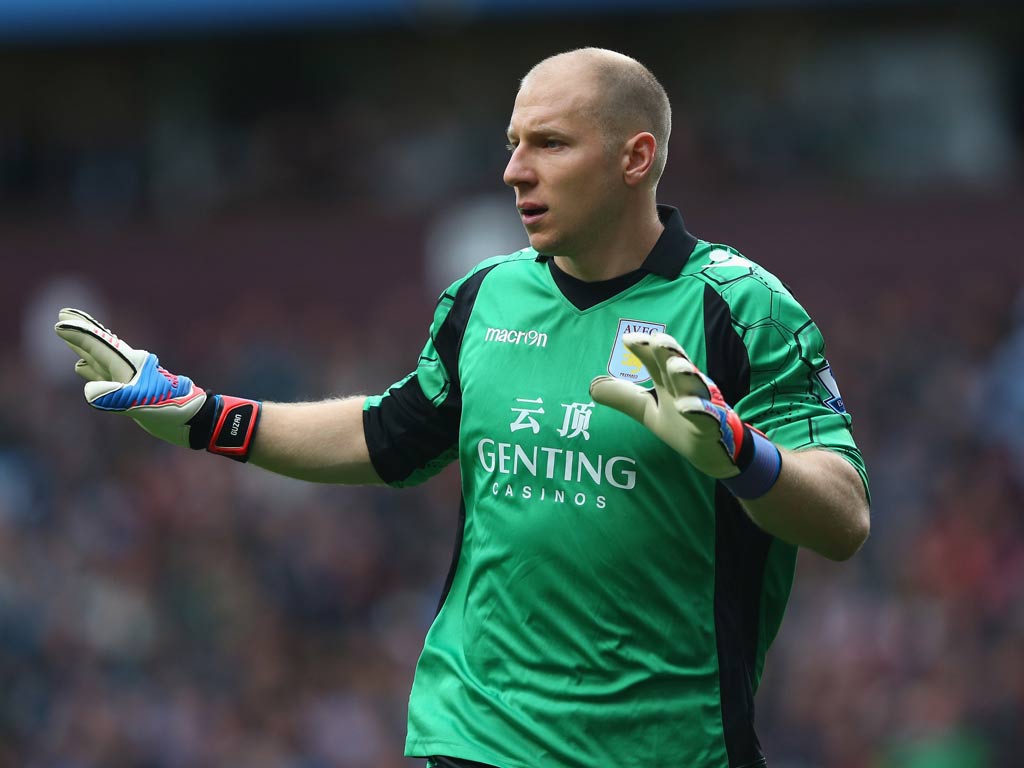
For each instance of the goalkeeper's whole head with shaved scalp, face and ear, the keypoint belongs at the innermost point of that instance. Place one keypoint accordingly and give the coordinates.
(589, 138)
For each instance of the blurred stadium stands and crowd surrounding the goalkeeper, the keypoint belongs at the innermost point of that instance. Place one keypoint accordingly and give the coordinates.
(271, 195)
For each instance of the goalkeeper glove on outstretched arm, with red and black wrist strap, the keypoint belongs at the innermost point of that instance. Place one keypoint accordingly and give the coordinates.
(131, 381)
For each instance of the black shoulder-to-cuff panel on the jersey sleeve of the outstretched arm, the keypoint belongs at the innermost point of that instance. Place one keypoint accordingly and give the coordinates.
(408, 431)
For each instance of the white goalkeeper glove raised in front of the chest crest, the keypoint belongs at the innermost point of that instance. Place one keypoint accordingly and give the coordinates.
(687, 410)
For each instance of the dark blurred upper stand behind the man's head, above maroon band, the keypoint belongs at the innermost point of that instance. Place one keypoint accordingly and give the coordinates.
(104, 134)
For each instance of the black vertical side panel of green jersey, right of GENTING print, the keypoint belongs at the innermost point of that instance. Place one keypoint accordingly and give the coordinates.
(741, 553)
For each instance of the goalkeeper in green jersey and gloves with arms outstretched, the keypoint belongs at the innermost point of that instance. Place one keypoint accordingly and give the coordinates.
(628, 539)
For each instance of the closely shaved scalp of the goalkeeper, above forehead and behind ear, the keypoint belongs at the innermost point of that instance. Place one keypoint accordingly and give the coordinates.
(629, 99)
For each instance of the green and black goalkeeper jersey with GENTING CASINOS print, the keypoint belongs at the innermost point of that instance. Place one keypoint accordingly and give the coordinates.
(608, 604)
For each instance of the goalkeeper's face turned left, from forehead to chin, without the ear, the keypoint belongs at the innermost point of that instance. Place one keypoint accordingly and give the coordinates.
(568, 184)
